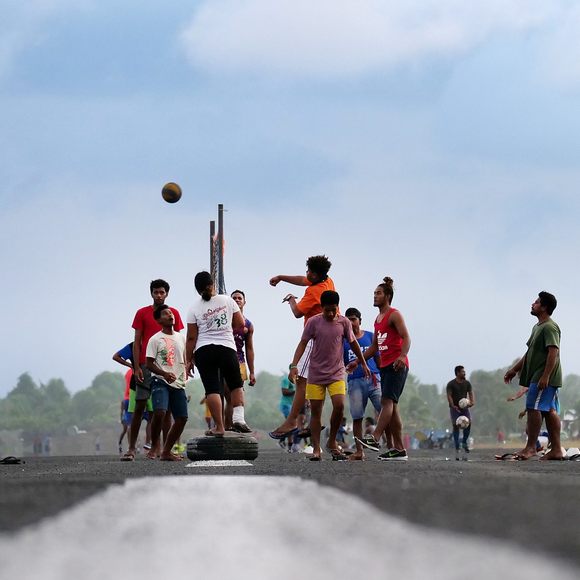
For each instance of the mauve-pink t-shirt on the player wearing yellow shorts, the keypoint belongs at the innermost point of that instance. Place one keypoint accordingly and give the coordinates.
(326, 360)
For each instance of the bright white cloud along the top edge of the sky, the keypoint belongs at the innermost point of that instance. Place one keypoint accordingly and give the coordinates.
(337, 39)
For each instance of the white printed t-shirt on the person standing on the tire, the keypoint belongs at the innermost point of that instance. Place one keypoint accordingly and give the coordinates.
(214, 320)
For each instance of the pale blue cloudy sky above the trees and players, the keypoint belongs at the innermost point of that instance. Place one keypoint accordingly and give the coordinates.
(434, 141)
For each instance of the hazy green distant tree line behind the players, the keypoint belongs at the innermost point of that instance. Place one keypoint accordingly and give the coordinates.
(51, 409)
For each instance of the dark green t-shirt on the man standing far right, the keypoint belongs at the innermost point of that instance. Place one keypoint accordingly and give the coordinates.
(544, 334)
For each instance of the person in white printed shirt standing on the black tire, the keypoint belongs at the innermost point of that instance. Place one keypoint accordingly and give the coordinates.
(210, 346)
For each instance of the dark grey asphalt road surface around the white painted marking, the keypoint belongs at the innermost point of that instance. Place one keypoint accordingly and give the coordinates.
(533, 504)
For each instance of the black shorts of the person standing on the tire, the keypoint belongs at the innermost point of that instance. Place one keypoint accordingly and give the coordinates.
(216, 362)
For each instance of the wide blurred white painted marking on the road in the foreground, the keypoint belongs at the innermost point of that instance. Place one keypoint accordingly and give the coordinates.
(250, 528)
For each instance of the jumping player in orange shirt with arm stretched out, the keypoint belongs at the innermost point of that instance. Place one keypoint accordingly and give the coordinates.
(316, 281)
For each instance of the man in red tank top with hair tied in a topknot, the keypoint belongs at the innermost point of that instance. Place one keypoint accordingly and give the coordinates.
(392, 342)
